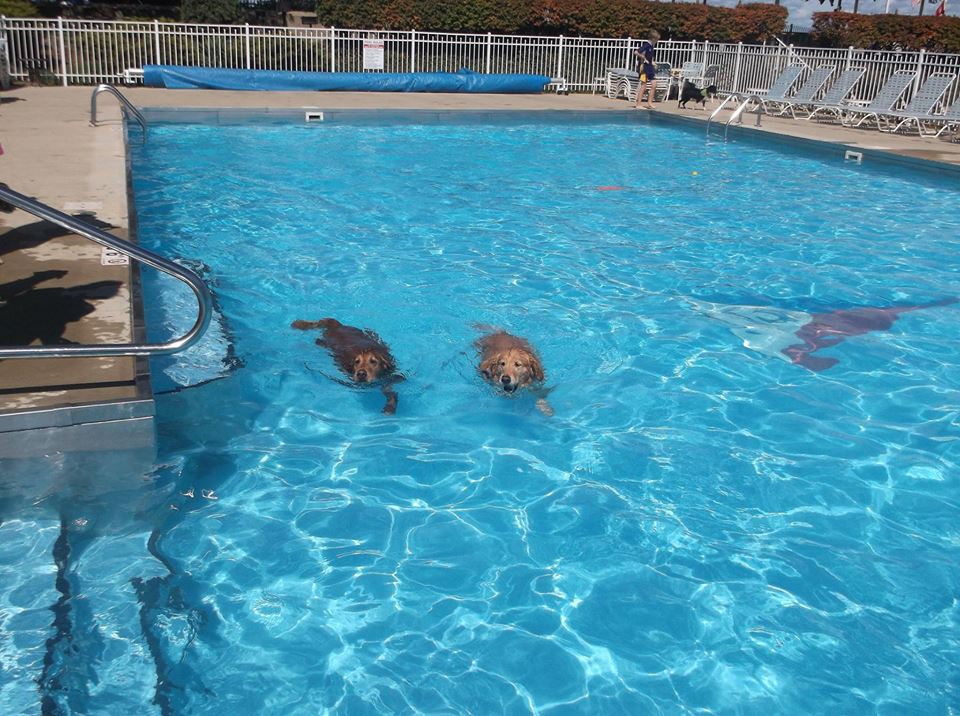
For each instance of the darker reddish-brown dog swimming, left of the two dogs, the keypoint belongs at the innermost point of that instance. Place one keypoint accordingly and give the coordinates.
(360, 354)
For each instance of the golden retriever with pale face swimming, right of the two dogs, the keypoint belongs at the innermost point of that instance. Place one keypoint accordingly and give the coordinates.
(510, 363)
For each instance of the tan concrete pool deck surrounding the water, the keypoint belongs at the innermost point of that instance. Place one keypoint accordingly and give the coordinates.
(53, 154)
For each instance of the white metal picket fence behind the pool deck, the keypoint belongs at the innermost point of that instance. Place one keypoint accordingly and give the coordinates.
(90, 52)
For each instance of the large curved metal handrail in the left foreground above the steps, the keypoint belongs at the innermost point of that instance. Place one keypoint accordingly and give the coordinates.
(200, 290)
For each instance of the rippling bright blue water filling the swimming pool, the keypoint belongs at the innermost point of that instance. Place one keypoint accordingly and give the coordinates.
(703, 526)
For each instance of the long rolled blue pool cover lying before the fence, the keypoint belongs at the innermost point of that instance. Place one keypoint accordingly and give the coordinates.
(464, 80)
